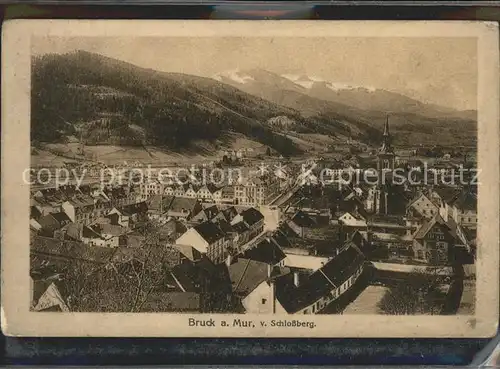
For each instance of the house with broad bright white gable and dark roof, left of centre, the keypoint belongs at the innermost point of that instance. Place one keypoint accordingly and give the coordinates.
(207, 238)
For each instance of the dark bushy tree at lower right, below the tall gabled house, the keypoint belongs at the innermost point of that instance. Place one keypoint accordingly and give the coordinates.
(420, 293)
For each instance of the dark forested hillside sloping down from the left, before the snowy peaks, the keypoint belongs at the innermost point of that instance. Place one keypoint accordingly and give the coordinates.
(103, 100)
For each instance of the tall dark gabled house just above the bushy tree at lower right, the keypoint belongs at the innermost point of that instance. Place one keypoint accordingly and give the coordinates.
(433, 242)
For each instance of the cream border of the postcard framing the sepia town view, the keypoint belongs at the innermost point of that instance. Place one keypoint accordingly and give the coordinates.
(18, 321)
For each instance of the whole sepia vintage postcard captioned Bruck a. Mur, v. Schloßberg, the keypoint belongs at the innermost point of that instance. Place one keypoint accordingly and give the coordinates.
(250, 178)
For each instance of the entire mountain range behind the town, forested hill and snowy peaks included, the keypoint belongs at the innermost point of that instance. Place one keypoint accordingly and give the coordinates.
(103, 100)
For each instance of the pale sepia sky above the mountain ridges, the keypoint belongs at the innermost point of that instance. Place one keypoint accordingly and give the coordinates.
(442, 71)
